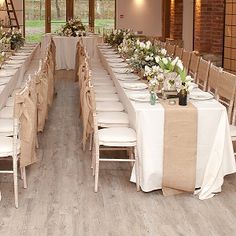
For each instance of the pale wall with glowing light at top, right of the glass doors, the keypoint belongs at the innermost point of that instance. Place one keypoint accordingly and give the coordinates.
(140, 15)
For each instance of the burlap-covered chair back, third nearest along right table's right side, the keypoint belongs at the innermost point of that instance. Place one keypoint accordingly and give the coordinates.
(202, 74)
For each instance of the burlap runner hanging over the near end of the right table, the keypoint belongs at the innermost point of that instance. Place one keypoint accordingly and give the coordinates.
(180, 149)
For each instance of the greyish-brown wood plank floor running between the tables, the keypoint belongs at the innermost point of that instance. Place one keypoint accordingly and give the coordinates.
(60, 198)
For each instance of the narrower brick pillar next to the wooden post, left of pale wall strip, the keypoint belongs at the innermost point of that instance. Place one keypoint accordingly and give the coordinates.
(176, 19)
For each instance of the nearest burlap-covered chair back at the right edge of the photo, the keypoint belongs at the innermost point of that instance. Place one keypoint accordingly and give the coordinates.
(226, 91)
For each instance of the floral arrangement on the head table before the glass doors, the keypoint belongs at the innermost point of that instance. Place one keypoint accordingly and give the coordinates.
(72, 28)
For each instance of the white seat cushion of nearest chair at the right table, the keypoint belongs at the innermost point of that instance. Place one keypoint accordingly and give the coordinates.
(117, 136)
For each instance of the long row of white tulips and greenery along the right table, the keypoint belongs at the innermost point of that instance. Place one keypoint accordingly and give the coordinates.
(151, 61)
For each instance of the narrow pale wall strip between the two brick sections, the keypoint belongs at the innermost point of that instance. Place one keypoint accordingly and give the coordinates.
(188, 24)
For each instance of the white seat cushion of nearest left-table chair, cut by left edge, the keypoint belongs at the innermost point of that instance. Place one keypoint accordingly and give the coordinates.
(6, 146)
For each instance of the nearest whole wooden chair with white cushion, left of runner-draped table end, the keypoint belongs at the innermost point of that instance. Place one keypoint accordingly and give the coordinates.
(113, 138)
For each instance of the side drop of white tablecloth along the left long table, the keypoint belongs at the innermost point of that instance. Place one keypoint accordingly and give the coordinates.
(17, 78)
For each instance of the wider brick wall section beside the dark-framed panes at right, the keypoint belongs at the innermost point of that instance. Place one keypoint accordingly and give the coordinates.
(209, 26)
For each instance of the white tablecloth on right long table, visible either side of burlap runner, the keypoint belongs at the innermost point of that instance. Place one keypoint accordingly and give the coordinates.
(215, 157)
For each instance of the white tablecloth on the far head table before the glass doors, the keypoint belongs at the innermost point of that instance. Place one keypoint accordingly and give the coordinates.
(66, 49)
